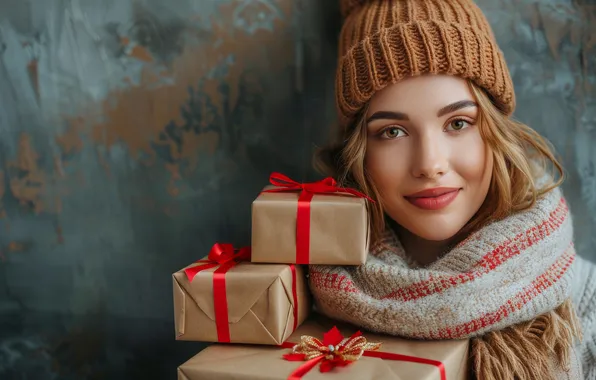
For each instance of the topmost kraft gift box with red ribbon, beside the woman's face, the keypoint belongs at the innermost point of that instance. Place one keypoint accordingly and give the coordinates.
(313, 223)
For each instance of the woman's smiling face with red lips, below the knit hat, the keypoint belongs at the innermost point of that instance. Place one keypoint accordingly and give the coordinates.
(425, 154)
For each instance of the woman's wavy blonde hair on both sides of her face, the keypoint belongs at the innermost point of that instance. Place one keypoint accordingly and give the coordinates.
(520, 156)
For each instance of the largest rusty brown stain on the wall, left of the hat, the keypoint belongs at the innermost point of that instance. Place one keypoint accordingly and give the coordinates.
(136, 116)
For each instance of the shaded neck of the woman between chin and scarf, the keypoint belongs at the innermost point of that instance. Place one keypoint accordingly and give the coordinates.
(422, 251)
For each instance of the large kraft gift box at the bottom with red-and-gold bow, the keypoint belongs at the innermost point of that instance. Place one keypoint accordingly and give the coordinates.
(394, 358)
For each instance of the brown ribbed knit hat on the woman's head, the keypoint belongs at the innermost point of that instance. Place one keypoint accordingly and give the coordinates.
(384, 41)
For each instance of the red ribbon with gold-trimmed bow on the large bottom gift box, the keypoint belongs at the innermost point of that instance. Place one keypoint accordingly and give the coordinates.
(331, 351)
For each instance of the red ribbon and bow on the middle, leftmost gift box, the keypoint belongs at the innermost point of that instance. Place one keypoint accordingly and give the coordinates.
(225, 256)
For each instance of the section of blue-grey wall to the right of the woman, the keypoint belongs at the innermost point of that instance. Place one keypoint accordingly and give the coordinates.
(550, 47)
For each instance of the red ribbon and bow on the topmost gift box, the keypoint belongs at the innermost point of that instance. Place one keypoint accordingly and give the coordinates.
(307, 191)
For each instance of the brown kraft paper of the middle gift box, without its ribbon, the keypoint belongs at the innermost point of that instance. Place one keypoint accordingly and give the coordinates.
(260, 304)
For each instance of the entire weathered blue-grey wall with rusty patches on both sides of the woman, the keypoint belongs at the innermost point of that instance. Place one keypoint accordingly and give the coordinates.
(133, 134)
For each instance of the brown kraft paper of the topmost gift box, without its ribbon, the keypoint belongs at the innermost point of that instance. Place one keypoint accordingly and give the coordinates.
(339, 231)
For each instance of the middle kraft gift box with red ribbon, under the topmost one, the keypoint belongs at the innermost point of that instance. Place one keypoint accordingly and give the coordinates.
(227, 299)
